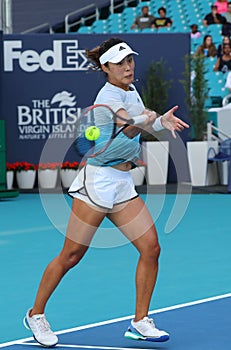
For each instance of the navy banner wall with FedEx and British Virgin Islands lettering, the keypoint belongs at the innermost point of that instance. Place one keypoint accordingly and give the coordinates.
(45, 82)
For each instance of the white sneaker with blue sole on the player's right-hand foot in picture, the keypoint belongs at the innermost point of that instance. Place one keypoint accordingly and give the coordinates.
(145, 329)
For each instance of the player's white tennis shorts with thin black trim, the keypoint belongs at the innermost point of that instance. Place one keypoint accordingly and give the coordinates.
(103, 187)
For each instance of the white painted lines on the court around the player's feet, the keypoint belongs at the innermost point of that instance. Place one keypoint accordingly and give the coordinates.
(98, 324)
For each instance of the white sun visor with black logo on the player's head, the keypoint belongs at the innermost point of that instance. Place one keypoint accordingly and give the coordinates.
(117, 53)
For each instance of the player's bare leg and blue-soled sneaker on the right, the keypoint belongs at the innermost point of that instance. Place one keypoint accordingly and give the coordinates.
(135, 222)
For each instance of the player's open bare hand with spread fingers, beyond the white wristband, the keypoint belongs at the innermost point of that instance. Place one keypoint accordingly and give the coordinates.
(172, 123)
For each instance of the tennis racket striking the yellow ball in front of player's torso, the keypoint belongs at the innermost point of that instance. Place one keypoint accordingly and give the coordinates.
(97, 128)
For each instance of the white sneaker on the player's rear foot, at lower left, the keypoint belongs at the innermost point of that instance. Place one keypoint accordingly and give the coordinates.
(41, 329)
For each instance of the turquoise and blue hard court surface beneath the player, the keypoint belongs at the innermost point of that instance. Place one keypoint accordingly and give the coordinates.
(93, 305)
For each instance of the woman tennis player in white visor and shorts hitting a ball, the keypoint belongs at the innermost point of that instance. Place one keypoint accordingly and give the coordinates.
(106, 189)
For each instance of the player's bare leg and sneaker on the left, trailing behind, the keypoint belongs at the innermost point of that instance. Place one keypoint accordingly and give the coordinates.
(84, 221)
